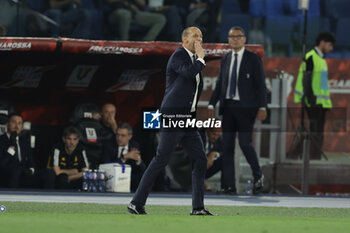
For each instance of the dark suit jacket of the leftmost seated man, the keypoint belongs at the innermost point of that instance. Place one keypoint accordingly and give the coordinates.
(7, 160)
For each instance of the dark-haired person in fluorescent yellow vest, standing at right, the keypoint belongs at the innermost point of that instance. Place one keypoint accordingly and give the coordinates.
(313, 92)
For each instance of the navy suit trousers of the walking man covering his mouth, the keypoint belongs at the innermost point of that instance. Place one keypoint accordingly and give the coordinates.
(193, 145)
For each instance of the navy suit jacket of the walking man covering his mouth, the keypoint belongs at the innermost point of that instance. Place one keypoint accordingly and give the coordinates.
(181, 83)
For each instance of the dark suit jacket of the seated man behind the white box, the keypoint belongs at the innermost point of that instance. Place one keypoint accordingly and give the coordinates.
(110, 154)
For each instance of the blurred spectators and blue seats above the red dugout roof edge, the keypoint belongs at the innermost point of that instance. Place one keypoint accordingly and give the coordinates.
(277, 24)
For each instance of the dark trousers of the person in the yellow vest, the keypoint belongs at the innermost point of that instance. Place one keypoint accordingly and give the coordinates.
(317, 117)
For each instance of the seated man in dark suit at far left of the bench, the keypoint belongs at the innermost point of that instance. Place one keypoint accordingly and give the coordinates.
(17, 167)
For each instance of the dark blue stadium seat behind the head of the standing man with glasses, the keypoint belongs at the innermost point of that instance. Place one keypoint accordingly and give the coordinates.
(229, 20)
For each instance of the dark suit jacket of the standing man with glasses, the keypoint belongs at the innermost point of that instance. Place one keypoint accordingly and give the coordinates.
(251, 81)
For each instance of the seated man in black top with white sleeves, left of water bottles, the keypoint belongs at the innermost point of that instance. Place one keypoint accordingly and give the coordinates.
(69, 160)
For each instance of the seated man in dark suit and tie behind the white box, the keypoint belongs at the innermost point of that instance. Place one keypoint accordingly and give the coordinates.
(123, 149)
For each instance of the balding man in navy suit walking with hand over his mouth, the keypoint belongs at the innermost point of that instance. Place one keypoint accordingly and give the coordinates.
(183, 87)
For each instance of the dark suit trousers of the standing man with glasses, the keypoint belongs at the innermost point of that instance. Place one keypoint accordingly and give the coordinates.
(237, 118)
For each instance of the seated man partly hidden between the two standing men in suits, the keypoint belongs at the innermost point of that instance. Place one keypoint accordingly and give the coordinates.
(212, 142)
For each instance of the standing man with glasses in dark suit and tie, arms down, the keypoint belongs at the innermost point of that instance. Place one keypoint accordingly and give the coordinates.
(241, 90)
